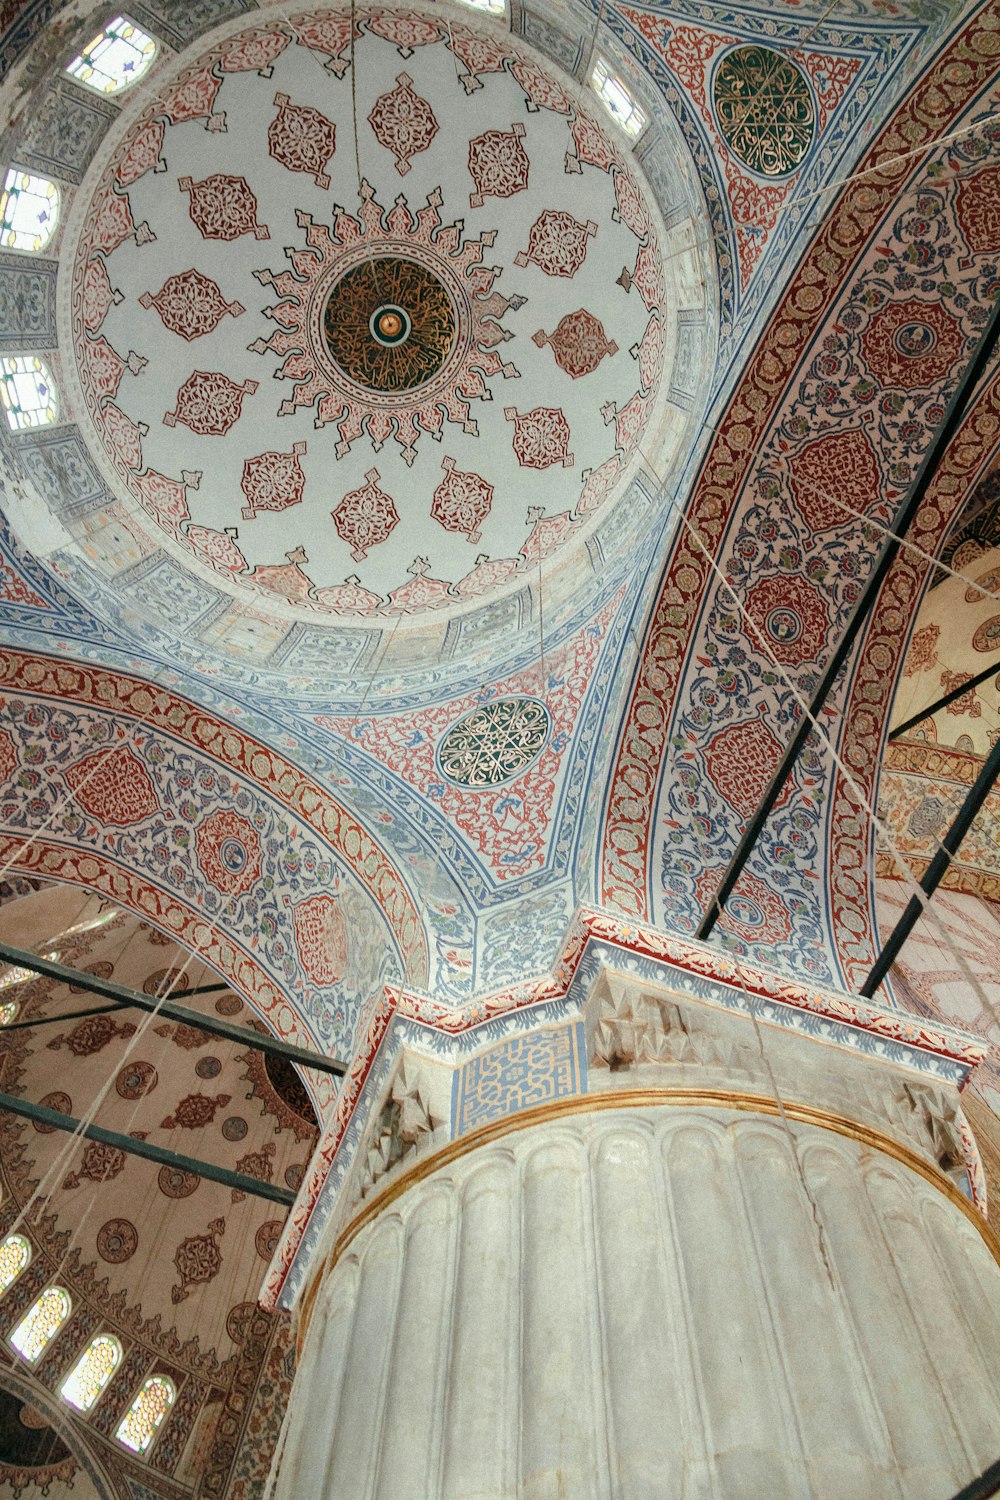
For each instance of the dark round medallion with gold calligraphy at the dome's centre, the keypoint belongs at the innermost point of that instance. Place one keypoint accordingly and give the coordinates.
(389, 325)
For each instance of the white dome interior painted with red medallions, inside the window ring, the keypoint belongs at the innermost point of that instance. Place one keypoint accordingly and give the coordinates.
(377, 377)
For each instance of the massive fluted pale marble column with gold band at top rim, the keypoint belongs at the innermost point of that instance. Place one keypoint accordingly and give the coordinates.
(651, 1298)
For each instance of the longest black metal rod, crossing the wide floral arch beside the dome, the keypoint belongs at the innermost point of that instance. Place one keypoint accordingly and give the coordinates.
(866, 602)
